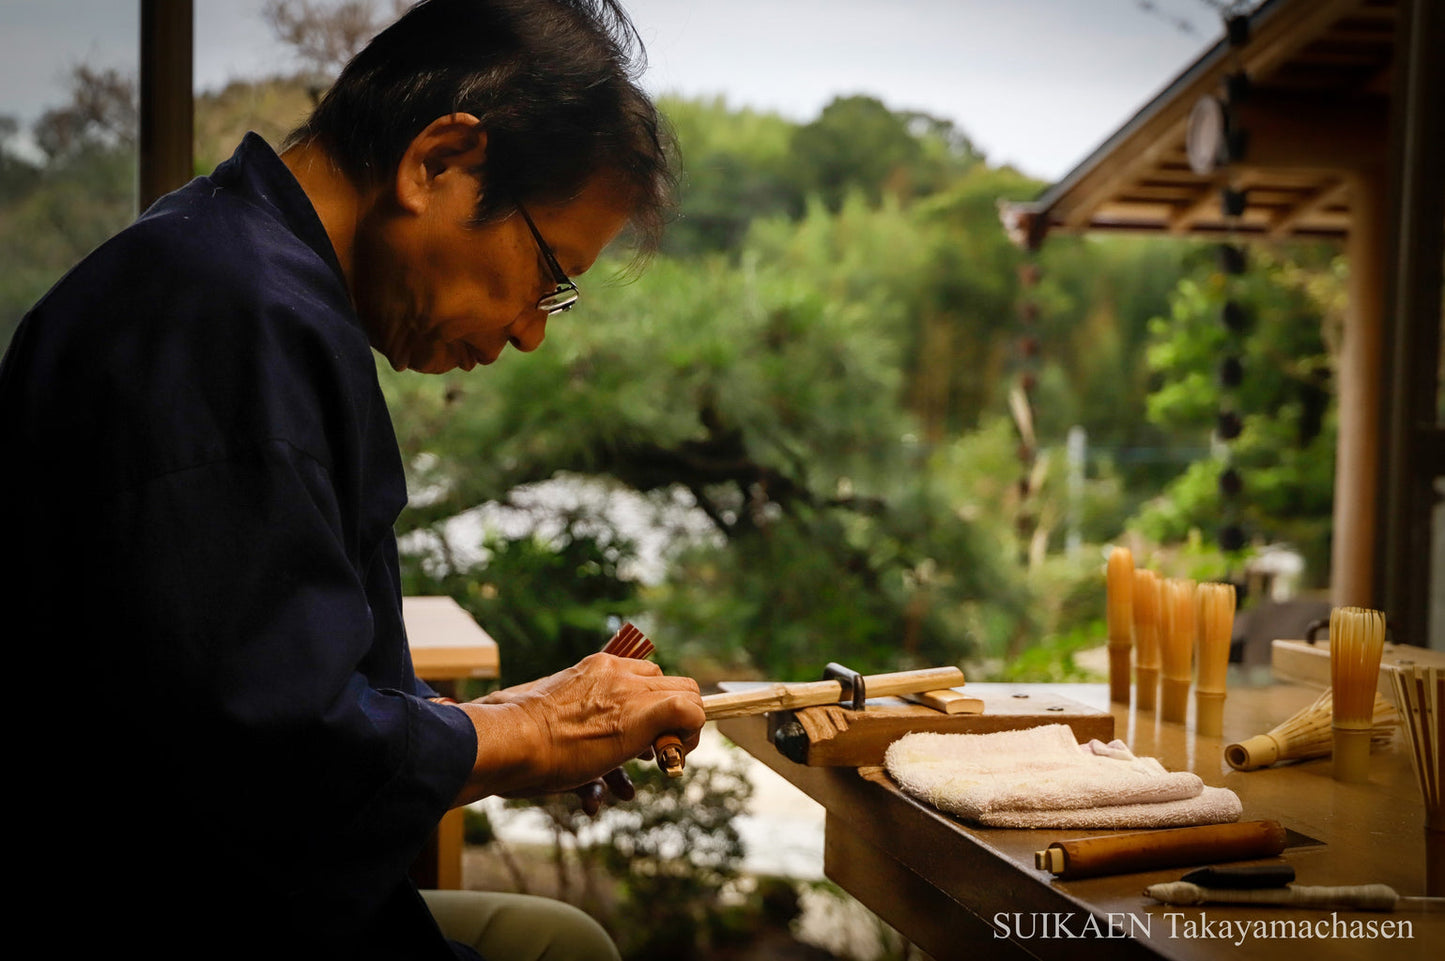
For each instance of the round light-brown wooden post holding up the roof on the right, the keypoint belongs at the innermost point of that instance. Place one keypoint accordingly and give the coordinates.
(1358, 452)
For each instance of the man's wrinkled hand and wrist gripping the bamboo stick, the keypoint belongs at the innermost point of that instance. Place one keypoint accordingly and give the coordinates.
(574, 731)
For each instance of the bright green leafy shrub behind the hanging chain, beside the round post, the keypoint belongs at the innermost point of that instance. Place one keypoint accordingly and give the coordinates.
(1285, 453)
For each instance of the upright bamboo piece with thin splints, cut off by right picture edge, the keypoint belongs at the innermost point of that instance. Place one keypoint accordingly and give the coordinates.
(1421, 697)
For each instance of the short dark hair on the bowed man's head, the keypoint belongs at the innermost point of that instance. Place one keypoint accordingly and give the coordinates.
(553, 82)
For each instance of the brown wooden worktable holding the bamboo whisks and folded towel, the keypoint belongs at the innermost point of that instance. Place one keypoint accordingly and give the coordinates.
(966, 892)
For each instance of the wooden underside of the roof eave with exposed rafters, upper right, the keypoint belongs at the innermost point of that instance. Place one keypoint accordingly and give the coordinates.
(1314, 112)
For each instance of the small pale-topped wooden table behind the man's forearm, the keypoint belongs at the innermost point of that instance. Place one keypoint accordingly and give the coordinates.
(447, 647)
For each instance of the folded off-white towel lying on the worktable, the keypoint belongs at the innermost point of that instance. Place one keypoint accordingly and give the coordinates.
(1044, 778)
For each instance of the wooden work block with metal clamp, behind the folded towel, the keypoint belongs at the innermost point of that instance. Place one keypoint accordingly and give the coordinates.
(834, 736)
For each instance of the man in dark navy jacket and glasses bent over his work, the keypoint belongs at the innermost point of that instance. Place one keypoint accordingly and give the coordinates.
(203, 482)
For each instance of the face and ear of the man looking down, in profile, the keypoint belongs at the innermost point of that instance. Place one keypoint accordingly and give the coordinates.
(437, 293)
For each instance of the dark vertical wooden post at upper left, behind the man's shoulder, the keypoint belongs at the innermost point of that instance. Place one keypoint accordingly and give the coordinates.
(167, 105)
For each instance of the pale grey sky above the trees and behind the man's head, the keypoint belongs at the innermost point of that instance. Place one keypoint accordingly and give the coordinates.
(1034, 83)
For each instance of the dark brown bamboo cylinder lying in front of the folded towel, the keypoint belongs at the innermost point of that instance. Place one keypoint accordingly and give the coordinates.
(1152, 850)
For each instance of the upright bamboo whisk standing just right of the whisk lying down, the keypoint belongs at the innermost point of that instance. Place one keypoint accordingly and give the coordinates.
(1356, 644)
